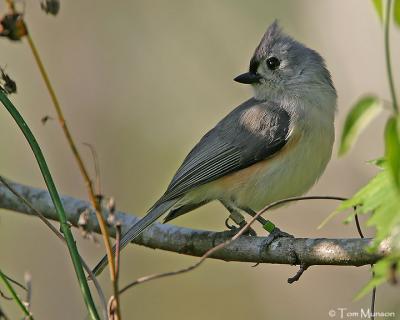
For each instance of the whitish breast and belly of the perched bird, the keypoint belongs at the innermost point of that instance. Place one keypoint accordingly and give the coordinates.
(295, 169)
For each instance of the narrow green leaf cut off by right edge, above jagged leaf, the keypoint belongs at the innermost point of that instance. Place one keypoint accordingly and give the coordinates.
(392, 149)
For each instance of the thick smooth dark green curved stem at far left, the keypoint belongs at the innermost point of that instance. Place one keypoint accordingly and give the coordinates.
(73, 250)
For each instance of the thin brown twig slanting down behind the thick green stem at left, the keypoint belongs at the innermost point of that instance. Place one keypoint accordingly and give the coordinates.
(96, 283)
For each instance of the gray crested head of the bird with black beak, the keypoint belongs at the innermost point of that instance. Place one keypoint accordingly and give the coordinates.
(282, 65)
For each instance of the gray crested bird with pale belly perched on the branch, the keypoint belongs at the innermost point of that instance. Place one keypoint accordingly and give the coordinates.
(273, 146)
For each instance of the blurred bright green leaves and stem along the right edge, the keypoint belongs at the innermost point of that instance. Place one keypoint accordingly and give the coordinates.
(381, 196)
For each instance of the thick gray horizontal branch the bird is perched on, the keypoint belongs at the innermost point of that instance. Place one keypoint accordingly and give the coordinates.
(305, 251)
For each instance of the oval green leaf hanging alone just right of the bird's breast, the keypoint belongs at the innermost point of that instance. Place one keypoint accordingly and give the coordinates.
(361, 114)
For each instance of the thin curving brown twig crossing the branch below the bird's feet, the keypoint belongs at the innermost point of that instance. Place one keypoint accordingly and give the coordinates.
(225, 243)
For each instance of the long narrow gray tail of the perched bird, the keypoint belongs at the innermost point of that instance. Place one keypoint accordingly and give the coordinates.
(135, 230)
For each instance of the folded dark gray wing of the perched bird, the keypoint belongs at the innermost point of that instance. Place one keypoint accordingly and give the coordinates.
(252, 132)
